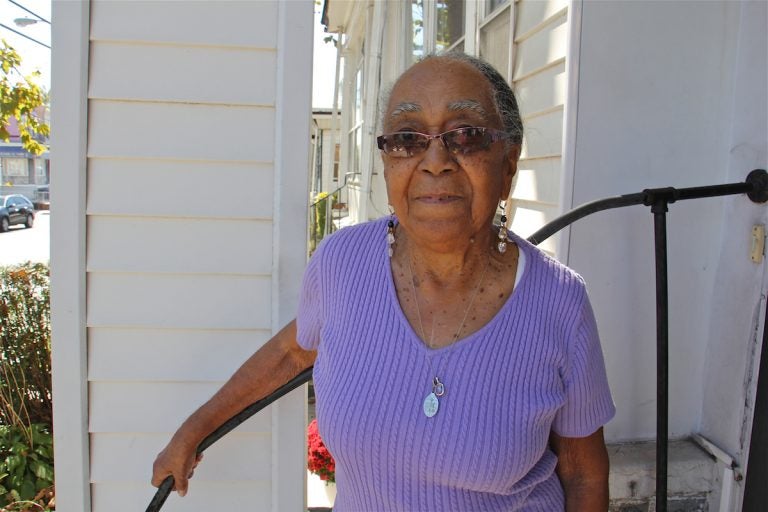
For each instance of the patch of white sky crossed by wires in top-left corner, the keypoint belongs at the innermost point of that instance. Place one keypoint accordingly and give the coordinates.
(33, 56)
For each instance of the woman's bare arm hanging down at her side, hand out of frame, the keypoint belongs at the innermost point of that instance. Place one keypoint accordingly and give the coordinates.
(582, 465)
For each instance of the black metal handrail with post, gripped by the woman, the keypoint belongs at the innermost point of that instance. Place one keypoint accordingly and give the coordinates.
(658, 199)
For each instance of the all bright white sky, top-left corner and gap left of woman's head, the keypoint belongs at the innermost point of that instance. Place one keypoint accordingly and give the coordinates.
(37, 57)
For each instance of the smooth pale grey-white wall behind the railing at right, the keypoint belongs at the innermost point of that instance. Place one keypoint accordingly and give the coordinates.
(655, 106)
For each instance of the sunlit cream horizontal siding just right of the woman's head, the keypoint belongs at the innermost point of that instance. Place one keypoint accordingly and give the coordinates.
(540, 83)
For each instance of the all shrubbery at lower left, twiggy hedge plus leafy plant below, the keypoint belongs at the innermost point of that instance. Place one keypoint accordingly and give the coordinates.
(26, 443)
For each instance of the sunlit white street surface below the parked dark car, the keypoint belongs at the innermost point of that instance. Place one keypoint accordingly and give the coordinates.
(20, 244)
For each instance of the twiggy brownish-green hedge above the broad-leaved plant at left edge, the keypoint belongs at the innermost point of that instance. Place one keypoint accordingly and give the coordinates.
(25, 346)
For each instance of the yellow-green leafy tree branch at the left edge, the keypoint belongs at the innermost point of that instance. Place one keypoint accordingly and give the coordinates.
(21, 98)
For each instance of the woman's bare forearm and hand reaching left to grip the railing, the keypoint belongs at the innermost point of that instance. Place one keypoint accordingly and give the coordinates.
(274, 364)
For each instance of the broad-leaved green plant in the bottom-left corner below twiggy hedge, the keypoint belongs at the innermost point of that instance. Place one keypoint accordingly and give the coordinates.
(26, 466)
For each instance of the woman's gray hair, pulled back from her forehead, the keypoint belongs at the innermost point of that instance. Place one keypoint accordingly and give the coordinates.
(503, 97)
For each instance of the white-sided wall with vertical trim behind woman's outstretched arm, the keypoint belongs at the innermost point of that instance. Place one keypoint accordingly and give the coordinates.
(179, 283)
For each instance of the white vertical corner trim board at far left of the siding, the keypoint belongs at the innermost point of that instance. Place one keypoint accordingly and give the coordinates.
(69, 109)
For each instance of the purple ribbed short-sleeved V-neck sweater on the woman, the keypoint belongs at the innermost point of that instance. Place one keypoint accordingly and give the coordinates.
(536, 366)
